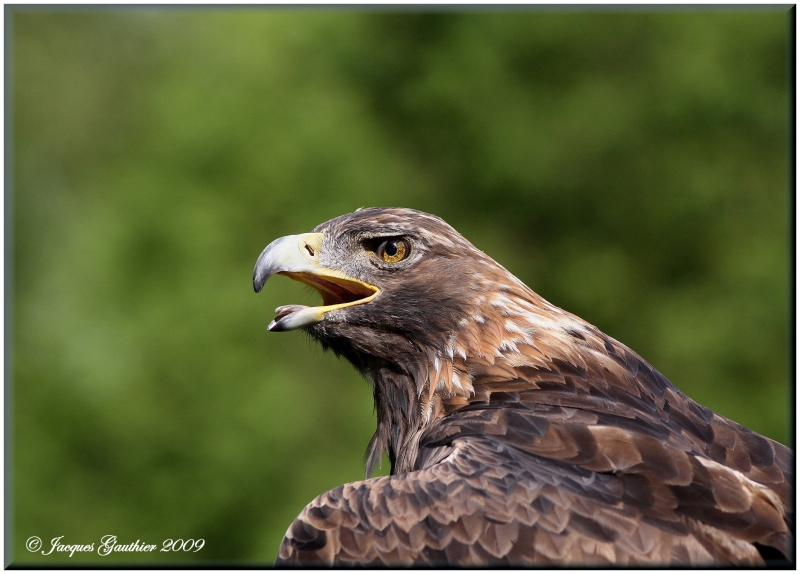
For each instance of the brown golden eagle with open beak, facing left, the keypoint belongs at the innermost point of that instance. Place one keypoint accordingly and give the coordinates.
(518, 433)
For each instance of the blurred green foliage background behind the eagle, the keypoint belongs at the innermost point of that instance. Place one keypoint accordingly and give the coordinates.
(629, 165)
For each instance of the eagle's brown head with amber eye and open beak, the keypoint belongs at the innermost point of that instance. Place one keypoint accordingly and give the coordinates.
(397, 285)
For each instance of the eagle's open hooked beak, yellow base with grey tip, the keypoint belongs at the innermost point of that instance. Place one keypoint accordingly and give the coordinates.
(297, 256)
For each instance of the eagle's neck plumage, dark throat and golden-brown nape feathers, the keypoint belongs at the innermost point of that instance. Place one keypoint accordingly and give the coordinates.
(414, 387)
